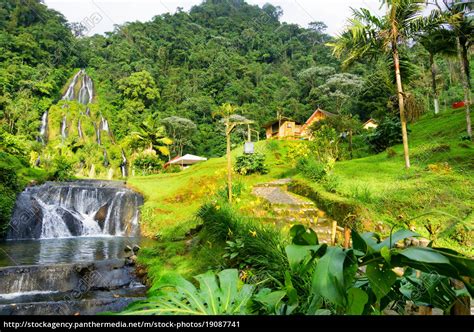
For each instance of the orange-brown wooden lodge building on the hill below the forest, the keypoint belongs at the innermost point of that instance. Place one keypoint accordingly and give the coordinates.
(286, 128)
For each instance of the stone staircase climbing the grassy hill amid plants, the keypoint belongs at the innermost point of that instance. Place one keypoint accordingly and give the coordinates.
(283, 209)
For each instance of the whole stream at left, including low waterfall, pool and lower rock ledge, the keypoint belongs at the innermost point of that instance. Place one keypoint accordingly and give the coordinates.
(65, 249)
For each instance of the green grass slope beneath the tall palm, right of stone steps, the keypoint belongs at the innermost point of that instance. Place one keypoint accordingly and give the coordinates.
(428, 191)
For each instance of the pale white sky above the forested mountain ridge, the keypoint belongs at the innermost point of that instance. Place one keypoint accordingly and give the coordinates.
(101, 15)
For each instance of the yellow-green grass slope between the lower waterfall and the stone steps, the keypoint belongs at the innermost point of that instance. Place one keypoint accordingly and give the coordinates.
(173, 199)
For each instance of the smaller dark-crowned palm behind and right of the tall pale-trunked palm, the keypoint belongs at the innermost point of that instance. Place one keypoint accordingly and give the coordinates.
(437, 41)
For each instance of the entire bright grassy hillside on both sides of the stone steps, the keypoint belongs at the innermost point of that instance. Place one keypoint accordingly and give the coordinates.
(435, 195)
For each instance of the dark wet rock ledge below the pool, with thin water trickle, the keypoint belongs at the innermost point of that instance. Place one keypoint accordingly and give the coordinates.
(66, 289)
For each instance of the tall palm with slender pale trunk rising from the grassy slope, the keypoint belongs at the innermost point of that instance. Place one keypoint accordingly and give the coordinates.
(372, 36)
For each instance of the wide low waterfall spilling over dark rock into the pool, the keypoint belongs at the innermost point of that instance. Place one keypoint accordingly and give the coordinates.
(79, 208)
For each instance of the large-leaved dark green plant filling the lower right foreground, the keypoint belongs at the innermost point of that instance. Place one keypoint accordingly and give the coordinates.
(360, 280)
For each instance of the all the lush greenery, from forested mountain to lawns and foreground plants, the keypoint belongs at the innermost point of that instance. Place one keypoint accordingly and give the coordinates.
(160, 85)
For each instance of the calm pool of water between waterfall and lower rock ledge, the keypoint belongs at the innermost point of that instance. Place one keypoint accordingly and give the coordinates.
(67, 250)
